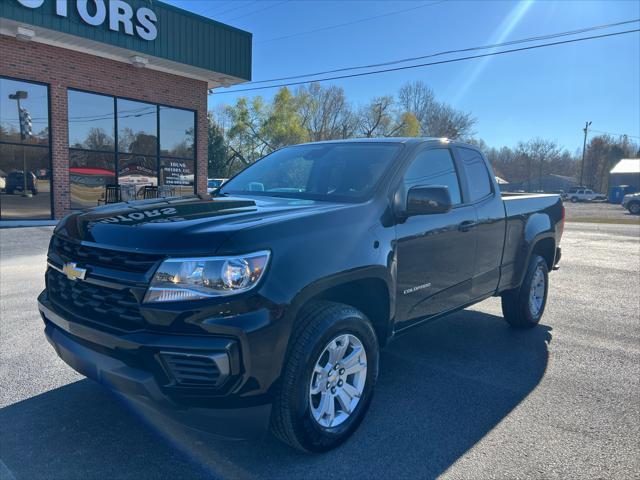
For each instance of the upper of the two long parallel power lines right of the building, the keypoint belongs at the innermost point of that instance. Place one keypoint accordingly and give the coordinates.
(448, 52)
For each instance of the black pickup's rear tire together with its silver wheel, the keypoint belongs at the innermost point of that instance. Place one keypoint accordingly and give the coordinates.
(523, 307)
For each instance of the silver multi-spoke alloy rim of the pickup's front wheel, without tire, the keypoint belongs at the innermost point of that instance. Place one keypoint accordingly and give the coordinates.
(338, 380)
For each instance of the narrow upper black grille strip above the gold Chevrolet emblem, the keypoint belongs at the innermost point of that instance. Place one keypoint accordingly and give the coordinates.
(69, 251)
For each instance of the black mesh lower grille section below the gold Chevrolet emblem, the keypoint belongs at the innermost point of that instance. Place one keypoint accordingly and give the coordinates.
(115, 308)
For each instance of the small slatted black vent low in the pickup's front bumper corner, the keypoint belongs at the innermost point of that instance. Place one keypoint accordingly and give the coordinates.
(193, 370)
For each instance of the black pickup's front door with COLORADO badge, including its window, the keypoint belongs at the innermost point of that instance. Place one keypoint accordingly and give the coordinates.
(434, 253)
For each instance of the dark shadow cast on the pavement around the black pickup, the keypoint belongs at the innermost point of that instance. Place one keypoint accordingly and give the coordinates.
(441, 389)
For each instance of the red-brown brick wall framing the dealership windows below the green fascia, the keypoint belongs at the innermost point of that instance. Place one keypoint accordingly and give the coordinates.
(62, 69)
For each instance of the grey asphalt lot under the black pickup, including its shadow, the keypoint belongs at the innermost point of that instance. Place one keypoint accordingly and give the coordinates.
(463, 397)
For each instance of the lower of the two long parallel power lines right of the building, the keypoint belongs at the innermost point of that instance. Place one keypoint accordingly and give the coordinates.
(440, 62)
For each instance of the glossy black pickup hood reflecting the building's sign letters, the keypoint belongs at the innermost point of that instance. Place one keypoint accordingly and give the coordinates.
(182, 225)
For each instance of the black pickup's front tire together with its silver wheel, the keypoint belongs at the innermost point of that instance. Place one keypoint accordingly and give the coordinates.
(328, 377)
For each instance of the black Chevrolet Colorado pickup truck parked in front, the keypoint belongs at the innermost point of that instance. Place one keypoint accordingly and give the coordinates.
(267, 304)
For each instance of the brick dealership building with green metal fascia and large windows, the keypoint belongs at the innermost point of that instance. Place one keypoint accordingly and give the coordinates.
(102, 100)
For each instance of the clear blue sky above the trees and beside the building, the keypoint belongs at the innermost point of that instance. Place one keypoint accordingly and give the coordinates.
(548, 92)
